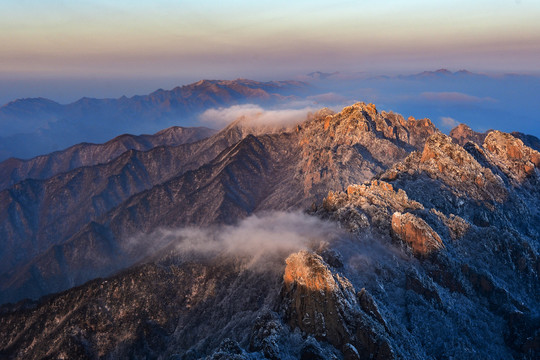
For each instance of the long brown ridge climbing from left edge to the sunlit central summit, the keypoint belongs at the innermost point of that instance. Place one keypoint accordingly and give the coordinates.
(288, 169)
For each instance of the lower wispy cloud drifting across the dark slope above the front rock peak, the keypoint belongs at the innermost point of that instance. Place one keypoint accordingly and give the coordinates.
(260, 239)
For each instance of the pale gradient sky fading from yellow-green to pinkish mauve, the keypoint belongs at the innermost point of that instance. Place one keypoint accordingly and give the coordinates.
(264, 39)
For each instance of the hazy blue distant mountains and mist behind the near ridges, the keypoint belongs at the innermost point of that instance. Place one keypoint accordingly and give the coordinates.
(36, 126)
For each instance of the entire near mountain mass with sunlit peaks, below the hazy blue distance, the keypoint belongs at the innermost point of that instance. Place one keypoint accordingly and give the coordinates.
(410, 244)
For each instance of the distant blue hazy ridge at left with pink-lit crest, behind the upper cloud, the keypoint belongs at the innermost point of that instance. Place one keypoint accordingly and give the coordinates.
(44, 126)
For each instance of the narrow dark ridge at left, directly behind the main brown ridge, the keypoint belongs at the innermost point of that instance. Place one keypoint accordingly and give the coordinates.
(45, 166)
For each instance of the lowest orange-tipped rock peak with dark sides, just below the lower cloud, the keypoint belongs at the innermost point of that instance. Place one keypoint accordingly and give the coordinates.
(325, 305)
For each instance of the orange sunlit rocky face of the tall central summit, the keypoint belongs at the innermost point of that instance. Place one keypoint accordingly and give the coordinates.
(357, 142)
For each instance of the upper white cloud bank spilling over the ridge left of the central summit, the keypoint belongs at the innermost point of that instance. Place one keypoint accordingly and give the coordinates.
(255, 115)
